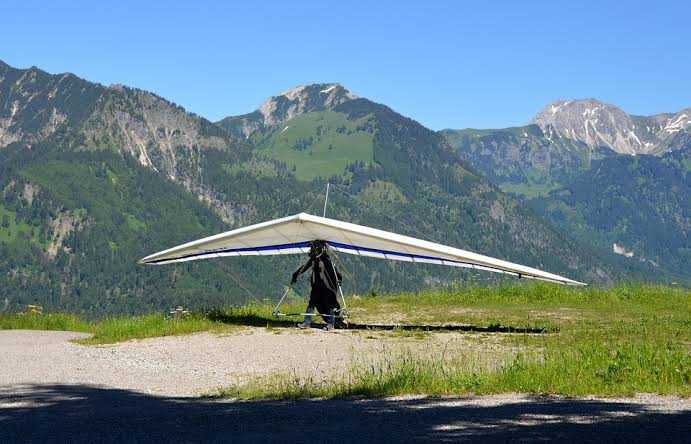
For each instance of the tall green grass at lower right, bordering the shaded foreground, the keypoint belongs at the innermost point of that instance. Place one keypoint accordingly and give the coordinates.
(590, 367)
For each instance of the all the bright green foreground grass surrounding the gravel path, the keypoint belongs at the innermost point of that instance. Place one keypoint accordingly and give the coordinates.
(610, 342)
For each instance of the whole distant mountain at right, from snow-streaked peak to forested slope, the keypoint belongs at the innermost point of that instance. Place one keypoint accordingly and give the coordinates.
(615, 181)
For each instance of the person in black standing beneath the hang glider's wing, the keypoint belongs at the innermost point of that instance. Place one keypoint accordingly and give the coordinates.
(325, 281)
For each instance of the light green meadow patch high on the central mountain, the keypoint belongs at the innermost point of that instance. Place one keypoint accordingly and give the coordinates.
(319, 144)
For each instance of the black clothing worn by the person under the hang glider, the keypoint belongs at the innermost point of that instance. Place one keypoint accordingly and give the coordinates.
(324, 280)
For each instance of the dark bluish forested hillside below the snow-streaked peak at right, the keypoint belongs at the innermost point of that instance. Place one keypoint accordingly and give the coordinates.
(638, 207)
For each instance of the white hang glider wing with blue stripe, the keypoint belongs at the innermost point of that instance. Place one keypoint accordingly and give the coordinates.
(291, 235)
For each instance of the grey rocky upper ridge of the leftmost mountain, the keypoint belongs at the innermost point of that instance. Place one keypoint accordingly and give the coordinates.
(36, 105)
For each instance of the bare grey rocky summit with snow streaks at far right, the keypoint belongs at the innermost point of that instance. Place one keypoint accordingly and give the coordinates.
(599, 124)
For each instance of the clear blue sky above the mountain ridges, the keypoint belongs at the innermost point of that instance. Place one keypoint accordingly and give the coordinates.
(448, 64)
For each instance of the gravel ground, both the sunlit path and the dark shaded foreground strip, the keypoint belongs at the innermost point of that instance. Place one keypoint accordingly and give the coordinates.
(52, 390)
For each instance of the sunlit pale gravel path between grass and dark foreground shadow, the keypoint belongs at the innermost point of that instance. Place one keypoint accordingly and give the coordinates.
(200, 363)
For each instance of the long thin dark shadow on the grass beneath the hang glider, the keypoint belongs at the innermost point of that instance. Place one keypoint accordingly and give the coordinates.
(261, 321)
